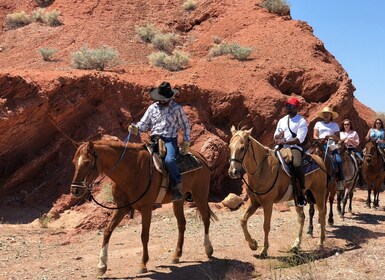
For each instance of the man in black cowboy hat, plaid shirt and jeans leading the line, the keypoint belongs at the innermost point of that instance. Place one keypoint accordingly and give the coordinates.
(164, 118)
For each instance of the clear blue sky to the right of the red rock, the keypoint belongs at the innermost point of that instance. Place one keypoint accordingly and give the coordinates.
(353, 31)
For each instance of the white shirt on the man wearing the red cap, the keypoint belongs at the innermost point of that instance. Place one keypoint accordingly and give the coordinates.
(297, 125)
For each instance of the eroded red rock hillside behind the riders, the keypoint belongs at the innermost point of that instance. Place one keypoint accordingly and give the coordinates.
(48, 107)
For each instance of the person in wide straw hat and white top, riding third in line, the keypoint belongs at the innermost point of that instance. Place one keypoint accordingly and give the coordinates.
(330, 131)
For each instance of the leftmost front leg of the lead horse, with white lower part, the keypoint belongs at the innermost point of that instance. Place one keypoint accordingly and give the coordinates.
(117, 216)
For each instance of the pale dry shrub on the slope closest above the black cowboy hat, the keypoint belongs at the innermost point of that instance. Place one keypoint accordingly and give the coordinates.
(175, 62)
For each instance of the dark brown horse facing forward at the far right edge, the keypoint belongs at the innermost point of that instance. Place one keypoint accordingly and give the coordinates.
(373, 172)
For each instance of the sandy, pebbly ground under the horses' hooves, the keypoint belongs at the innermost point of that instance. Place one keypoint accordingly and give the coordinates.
(353, 249)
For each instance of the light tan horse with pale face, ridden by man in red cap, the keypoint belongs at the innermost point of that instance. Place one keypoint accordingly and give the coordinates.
(268, 183)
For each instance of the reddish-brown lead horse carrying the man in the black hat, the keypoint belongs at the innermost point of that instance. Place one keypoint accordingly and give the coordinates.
(137, 185)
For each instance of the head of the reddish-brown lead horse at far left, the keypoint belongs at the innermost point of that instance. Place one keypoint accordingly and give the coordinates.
(85, 169)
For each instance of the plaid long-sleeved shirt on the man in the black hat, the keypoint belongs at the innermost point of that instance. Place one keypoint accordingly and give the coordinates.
(165, 121)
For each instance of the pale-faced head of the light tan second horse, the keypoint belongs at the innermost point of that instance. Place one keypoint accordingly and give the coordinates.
(239, 144)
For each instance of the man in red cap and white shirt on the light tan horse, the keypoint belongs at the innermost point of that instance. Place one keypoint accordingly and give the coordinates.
(291, 131)
